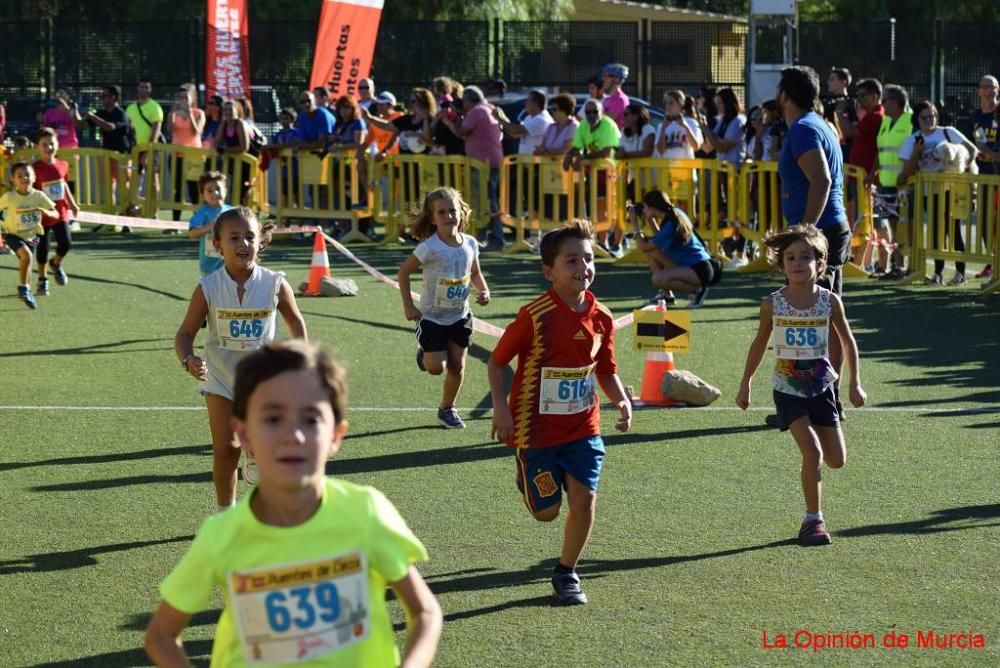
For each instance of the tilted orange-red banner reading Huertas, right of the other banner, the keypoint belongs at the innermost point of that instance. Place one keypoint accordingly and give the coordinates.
(345, 42)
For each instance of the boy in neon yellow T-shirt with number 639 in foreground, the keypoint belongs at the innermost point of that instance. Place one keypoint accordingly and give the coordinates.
(303, 561)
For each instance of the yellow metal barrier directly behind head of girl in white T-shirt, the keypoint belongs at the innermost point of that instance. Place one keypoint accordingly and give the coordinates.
(411, 177)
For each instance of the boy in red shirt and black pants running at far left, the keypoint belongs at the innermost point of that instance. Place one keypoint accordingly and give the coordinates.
(50, 178)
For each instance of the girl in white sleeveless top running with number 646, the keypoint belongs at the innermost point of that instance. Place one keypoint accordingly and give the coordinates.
(240, 302)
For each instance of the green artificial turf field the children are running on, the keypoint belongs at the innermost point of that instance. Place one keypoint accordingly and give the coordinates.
(691, 559)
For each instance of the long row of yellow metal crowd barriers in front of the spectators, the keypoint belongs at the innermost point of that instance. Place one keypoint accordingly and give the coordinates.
(536, 195)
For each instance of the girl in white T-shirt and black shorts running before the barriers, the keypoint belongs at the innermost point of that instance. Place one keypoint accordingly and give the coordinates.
(450, 263)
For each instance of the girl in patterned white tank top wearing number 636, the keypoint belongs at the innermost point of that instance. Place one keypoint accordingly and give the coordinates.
(803, 317)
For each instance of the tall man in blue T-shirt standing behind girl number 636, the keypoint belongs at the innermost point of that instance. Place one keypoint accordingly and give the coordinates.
(811, 167)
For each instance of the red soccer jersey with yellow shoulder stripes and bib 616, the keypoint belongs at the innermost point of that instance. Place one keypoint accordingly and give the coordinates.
(559, 354)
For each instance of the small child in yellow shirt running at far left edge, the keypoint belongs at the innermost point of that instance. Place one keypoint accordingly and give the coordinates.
(23, 208)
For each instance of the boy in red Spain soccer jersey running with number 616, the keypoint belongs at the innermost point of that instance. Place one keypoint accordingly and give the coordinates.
(564, 342)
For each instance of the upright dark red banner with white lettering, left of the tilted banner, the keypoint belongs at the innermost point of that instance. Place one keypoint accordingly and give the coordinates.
(227, 49)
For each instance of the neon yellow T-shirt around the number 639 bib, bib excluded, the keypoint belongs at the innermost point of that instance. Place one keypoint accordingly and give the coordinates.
(351, 519)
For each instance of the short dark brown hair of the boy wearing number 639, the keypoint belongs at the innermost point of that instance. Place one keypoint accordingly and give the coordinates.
(294, 355)
